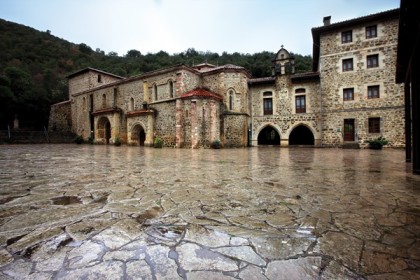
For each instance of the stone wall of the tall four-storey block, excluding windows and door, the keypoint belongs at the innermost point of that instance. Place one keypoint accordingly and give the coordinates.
(389, 105)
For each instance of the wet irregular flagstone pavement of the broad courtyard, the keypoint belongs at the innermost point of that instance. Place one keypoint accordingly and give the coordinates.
(105, 212)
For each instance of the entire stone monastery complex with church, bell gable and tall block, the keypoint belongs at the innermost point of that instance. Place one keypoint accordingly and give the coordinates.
(349, 97)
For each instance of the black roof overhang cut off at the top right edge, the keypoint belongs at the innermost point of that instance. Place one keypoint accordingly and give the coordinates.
(408, 37)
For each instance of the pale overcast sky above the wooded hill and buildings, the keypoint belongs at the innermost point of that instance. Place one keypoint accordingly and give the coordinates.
(245, 26)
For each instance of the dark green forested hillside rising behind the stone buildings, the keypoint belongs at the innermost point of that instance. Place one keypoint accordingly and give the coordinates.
(34, 66)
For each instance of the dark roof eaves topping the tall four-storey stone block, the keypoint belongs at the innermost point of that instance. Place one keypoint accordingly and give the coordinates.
(317, 31)
